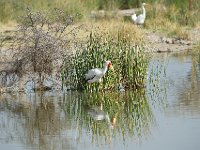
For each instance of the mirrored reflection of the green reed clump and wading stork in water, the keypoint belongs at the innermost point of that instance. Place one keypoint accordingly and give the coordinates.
(121, 115)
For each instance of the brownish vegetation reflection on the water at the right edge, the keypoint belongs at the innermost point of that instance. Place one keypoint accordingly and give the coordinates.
(189, 95)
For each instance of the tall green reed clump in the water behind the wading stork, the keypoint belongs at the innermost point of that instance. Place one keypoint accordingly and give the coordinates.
(128, 60)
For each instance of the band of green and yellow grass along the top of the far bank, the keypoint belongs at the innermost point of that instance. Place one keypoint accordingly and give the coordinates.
(167, 16)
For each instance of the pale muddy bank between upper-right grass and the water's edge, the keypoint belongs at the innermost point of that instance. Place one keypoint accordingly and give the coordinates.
(156, 42)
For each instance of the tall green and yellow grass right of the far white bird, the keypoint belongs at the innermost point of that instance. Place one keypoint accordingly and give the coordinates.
(173, 17)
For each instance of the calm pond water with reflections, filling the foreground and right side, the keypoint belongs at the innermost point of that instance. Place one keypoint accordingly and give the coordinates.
(165, 116)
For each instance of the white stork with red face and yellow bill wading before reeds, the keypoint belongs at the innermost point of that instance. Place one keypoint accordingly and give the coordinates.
(96, 74)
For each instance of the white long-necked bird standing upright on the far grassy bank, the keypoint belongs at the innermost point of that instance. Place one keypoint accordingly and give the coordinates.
(140, 18)
